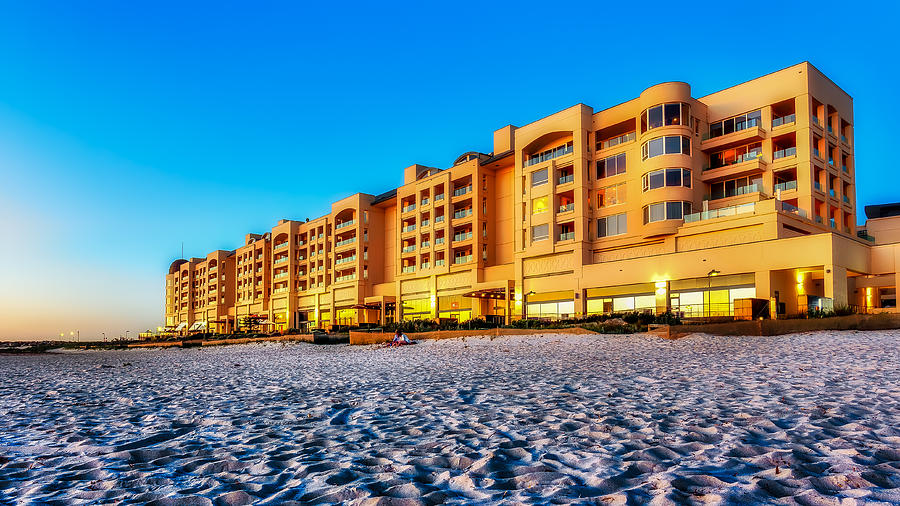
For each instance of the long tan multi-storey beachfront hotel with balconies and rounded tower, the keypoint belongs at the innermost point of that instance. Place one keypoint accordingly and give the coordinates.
(667, 202)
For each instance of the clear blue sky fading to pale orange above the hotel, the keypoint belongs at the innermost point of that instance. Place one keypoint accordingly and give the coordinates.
(129, 127)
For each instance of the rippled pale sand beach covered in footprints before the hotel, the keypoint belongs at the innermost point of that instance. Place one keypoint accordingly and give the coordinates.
(799, 419)
